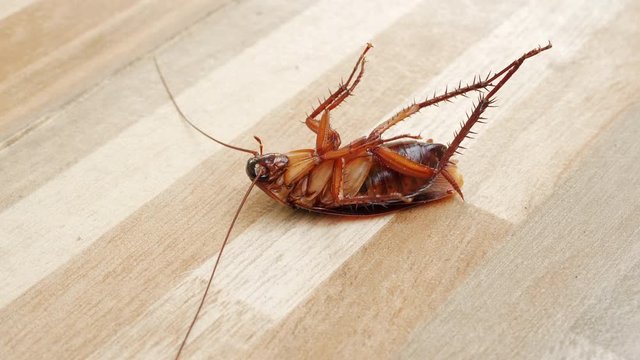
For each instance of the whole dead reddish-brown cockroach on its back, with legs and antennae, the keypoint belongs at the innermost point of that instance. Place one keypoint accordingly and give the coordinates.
(370, 175)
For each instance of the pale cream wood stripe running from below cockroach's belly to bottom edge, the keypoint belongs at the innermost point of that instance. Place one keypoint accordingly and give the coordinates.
(252, 288)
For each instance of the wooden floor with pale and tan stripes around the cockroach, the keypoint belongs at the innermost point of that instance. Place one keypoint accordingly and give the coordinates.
(112, 209)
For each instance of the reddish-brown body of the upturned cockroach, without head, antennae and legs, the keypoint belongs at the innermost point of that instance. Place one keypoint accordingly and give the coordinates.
(368, 186)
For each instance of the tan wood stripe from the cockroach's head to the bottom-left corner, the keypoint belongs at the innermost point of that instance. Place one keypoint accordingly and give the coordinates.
(148, 253)
